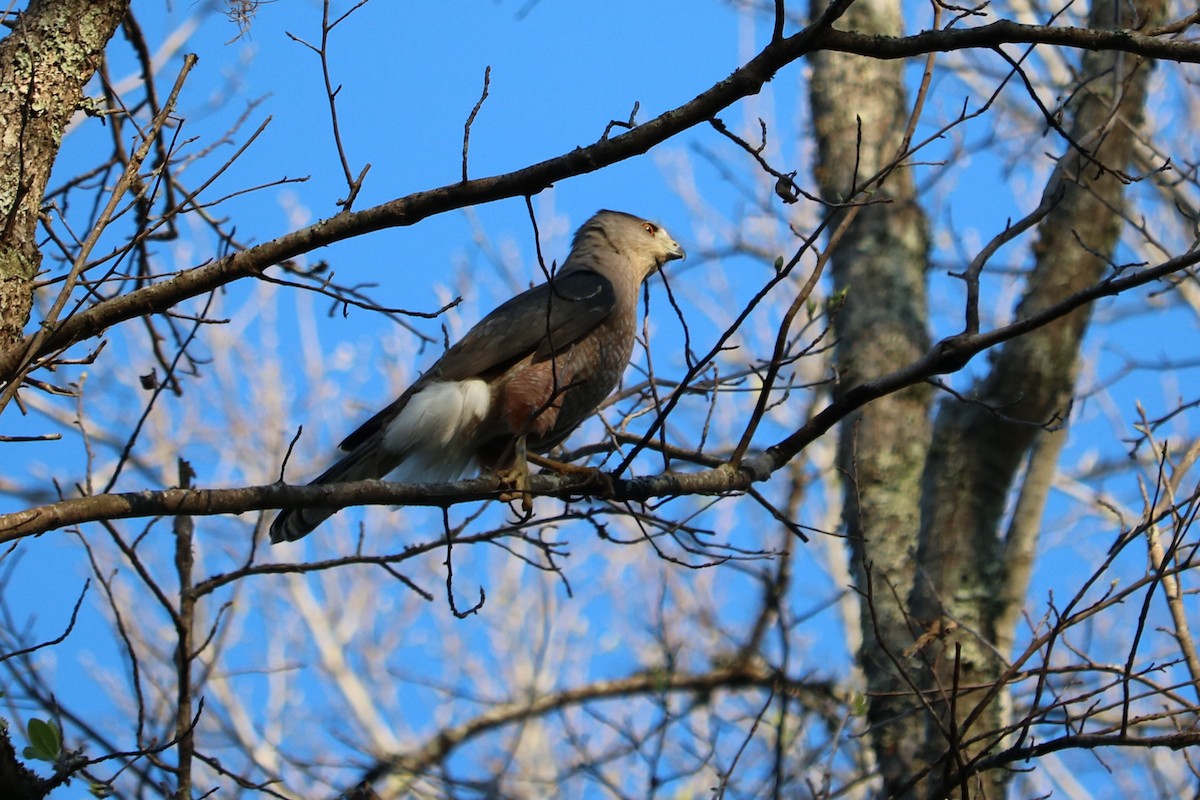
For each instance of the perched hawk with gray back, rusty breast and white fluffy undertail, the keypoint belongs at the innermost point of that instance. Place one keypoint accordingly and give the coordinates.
(524, 378)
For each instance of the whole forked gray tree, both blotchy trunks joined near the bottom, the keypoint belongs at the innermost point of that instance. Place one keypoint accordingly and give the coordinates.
(941, 497)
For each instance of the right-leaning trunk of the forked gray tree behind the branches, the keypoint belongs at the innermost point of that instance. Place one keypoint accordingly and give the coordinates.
(977, 453)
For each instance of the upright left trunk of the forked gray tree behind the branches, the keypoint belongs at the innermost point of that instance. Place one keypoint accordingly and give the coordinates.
(880, 263)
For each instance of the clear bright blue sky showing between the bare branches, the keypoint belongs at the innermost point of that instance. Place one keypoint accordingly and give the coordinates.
(411, 75)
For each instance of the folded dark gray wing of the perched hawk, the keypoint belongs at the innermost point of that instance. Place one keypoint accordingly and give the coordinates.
(536, 324)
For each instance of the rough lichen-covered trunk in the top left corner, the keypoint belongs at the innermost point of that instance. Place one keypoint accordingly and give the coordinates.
(55, 49)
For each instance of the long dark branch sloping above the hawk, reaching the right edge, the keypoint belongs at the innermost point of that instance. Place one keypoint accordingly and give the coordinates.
(412, 209)
